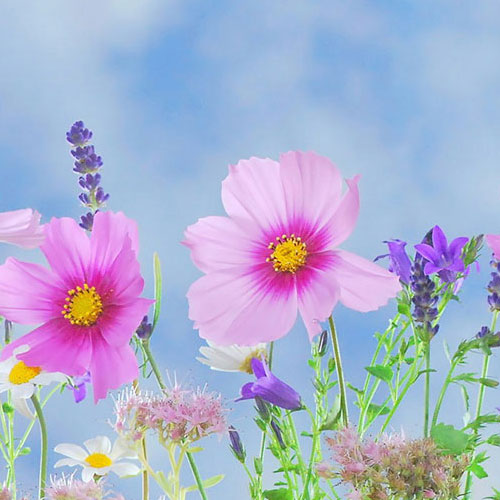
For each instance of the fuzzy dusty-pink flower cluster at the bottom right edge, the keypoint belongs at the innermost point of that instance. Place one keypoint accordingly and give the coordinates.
(393, 467)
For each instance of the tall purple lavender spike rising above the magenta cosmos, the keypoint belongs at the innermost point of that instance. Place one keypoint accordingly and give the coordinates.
(87, 164)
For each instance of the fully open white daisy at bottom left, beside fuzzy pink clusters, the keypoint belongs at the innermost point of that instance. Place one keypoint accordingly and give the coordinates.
(99, 459)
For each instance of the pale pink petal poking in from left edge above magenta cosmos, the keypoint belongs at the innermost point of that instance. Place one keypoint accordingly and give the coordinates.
(21, 227)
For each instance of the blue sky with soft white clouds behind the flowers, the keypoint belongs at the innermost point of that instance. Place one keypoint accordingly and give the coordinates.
(405, 93)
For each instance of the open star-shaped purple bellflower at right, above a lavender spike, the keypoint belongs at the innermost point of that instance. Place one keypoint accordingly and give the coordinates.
(442, 258)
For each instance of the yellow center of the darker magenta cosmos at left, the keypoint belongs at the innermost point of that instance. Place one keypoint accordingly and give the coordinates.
(83, 306)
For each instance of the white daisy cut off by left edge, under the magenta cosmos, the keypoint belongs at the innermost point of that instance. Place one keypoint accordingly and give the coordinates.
(21, 380)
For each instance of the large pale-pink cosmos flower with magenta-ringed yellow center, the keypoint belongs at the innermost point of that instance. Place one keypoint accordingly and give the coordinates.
(277, 252)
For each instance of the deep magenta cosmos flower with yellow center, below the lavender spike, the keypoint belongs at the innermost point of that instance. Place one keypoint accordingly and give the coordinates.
(88, 301)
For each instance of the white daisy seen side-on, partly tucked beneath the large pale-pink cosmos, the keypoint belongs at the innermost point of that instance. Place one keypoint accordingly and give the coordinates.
(231, 358)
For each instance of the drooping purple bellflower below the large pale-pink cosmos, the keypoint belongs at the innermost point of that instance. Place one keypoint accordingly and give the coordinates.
(270, 388)
